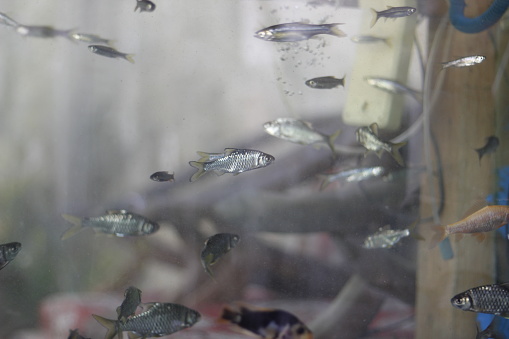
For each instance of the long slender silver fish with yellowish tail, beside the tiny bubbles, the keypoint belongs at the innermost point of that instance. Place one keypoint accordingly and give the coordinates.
(297, 31)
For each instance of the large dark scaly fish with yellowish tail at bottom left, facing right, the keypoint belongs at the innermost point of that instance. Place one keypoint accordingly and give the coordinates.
(158, 320)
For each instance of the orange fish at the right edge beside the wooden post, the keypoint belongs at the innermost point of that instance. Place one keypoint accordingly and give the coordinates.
(486, 219)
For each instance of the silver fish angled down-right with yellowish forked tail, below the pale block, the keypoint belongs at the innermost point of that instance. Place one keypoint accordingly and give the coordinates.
(368, 137)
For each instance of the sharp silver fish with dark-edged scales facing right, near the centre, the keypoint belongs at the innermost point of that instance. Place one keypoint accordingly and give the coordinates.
(233, 160)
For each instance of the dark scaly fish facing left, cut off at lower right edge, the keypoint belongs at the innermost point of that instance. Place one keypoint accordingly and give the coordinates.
(492, 299)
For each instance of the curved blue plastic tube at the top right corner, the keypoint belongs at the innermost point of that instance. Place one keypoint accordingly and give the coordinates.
(477, 24)
